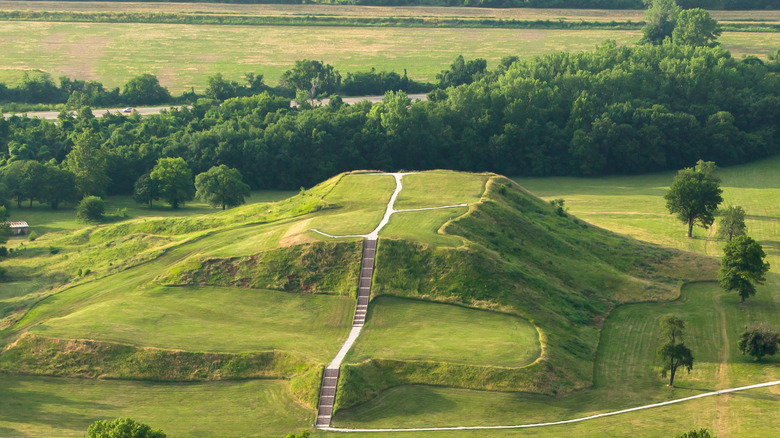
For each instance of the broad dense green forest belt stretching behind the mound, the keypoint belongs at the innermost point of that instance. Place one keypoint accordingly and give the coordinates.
(614, 110)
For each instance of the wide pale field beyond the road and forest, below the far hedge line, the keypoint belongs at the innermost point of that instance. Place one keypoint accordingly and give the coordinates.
(184, 56)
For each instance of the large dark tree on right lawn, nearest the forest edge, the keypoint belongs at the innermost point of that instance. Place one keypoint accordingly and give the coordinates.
(695, 195)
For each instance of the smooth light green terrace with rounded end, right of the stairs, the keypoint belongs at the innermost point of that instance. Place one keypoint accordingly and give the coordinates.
(418, 330)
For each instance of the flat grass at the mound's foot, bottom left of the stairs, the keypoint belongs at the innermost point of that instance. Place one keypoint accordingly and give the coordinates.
(41, 406)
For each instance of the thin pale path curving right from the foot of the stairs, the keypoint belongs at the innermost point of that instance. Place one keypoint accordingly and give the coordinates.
(557, 423)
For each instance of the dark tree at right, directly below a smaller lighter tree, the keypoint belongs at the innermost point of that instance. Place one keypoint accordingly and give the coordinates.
(742, 266)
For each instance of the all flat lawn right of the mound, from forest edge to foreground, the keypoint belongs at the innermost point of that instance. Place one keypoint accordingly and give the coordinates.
(625, 374)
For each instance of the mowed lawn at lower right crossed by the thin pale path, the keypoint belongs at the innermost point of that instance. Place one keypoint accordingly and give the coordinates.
(626, 376)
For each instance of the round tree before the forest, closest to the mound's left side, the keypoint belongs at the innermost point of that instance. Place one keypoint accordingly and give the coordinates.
(221, 186)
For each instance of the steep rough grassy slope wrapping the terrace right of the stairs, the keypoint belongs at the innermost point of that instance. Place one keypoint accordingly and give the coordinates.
(523, 257)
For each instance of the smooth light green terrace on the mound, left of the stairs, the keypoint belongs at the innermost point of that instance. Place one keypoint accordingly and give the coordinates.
(214, 320)
